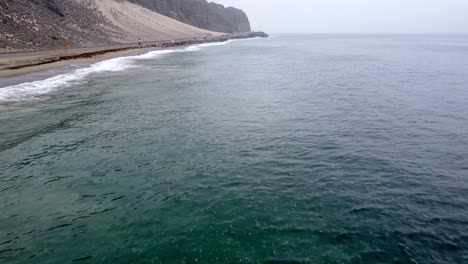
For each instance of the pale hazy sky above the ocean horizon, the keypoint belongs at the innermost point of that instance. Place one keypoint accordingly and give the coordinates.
(356, 16)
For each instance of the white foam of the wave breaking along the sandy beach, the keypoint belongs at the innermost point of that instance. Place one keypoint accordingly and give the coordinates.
(32, 90)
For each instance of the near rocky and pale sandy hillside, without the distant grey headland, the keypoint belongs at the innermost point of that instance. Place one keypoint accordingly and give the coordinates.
(47, 24)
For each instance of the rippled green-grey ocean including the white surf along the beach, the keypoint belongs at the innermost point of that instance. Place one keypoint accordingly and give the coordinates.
(291, 149)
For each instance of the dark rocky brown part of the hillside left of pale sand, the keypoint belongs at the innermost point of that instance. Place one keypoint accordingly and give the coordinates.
(34, 24)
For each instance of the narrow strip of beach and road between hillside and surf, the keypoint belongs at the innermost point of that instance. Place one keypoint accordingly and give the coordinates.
(18, 64)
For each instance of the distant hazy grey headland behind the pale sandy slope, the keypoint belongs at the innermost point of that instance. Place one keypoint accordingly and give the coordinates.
(200, 13)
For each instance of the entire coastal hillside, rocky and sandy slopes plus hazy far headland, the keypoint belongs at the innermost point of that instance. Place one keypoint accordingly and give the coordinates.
(48, 24)
